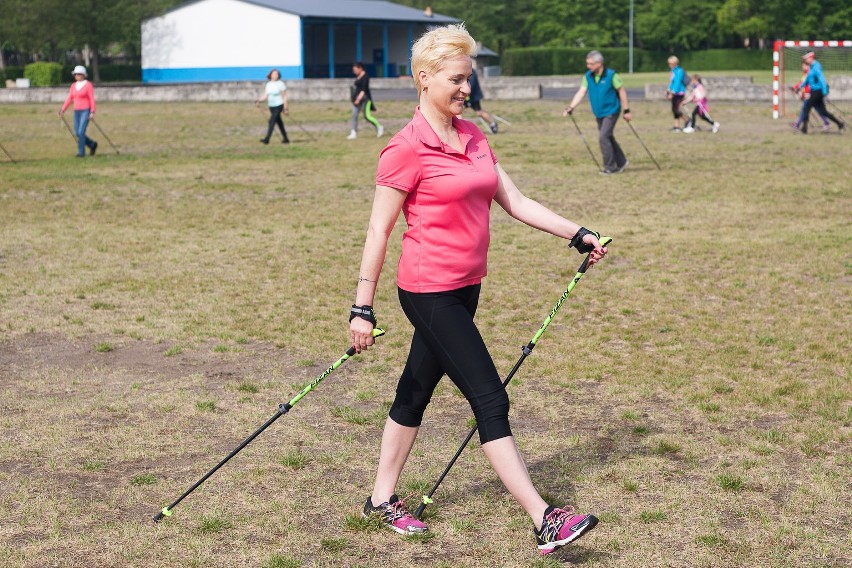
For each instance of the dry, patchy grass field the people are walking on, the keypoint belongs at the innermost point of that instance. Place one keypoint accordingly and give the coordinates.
(155, 307)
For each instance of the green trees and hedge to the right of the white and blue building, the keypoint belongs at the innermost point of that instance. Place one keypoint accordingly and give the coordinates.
(667, 25)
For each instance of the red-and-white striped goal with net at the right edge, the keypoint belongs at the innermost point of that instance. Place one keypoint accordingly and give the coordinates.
(836, 60)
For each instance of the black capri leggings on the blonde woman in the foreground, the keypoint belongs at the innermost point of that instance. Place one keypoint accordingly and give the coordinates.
(447, 341)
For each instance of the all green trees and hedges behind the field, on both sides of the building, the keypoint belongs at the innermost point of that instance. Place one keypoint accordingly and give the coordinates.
(53, 30)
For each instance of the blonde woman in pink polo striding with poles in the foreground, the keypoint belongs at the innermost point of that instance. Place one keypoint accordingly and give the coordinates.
(440, 172)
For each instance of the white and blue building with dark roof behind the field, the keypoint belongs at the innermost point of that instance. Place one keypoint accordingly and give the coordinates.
(241, 40)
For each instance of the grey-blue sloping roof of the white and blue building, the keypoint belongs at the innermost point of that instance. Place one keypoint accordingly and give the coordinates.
(376, 10)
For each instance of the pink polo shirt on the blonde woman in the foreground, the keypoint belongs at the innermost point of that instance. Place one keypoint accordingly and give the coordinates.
(448, 205)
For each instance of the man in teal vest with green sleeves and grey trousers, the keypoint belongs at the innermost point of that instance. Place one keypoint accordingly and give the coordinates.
(608, 99)
